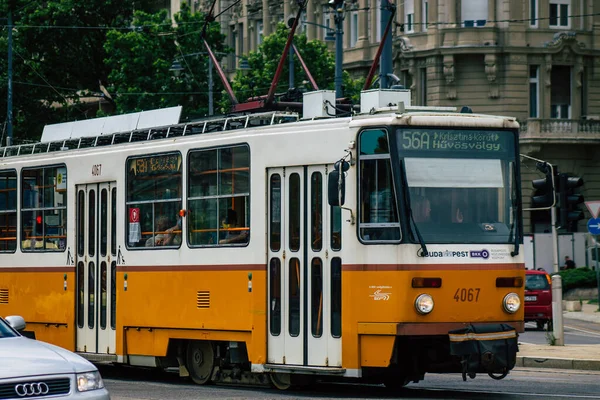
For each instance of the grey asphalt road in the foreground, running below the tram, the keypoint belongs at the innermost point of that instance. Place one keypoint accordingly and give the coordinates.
(136, 384)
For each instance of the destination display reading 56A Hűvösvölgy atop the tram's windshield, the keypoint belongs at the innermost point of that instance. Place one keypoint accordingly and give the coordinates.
(454, 140)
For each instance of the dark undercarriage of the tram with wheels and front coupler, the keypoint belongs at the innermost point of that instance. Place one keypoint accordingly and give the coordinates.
(490, 350)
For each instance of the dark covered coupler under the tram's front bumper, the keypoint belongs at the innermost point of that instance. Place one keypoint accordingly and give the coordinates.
(490, 349)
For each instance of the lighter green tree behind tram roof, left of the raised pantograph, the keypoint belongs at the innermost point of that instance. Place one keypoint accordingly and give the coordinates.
(140, 62)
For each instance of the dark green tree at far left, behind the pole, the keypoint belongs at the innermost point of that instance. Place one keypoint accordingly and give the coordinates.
(57, 59)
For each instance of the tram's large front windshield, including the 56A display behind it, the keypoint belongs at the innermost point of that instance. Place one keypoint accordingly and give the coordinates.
(462, 184)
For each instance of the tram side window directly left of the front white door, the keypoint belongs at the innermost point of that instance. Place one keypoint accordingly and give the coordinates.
(219, 196)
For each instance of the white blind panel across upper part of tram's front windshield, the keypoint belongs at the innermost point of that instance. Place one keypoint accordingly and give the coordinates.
(454, 173)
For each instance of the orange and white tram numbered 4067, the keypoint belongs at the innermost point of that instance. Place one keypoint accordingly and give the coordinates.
(380, 246)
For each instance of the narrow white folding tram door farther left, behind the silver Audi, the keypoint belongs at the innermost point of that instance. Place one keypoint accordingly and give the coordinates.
(96, 267)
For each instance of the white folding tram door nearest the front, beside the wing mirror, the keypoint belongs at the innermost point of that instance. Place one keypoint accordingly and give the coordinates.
(300, 270)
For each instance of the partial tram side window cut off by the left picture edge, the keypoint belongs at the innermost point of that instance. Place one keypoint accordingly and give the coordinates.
(8, 211)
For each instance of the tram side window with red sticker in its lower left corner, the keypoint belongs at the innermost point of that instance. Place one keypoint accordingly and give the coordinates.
(154, 200)
